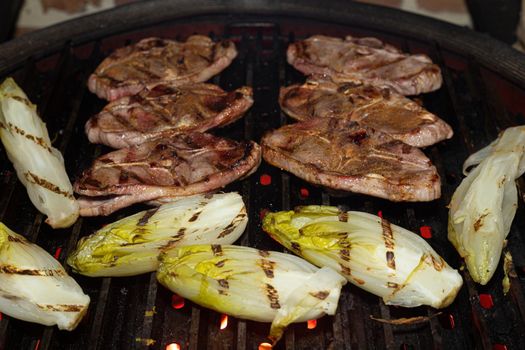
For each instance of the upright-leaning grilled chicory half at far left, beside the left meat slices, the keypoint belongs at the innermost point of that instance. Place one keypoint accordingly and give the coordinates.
(39, 166)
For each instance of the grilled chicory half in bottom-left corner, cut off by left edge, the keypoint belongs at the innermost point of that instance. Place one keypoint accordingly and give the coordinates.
(34, 286)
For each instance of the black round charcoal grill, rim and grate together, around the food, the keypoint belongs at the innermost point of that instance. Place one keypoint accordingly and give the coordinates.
(483, 90)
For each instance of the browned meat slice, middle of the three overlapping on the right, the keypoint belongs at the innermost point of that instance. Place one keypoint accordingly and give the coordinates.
(381, 109)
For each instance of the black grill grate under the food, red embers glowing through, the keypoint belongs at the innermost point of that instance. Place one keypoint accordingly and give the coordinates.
(131, 312)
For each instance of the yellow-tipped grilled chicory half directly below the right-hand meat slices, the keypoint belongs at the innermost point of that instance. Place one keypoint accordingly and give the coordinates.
(371, 253)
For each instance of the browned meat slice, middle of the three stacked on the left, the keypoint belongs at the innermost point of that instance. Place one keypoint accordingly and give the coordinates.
(166, 110)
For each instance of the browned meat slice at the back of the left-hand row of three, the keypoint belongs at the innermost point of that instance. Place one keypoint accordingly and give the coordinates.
(153, 60)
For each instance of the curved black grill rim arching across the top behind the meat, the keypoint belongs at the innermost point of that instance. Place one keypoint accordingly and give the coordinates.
(489, 52)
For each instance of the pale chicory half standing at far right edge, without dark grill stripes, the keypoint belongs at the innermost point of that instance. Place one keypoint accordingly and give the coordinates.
(483, 206)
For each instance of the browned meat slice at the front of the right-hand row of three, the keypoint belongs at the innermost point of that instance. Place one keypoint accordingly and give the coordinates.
(340, 154)
